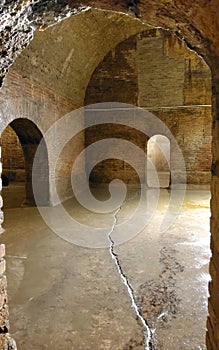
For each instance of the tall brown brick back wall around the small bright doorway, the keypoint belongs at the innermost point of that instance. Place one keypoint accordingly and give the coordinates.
(157, 72)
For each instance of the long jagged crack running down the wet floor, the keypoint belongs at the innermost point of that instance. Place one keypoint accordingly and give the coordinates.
(148, 332)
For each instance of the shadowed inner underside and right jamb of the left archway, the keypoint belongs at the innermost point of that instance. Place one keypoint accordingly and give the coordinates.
(30, 136)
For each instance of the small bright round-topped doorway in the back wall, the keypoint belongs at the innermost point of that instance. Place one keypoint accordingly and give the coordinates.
(158, 158)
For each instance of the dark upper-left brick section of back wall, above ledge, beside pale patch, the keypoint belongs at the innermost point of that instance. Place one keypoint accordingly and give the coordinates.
(115, 79)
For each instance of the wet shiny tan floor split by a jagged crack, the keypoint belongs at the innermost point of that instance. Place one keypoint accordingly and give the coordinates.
(63, 296)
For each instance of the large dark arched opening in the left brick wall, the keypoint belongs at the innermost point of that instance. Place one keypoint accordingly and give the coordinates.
(20, 141)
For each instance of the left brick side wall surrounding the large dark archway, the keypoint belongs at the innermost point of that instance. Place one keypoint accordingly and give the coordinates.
(23, 99)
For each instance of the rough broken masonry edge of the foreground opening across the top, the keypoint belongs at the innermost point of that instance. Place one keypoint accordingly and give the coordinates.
(197, 21)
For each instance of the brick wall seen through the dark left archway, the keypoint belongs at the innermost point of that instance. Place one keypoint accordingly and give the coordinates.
(12, 156)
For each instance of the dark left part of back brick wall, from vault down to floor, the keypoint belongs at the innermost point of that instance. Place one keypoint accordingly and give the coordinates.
(115, 79)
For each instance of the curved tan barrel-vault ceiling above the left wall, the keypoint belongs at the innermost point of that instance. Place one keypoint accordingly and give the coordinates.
(64, 56)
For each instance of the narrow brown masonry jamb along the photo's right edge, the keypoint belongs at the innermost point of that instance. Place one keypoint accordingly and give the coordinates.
(212, 338)
